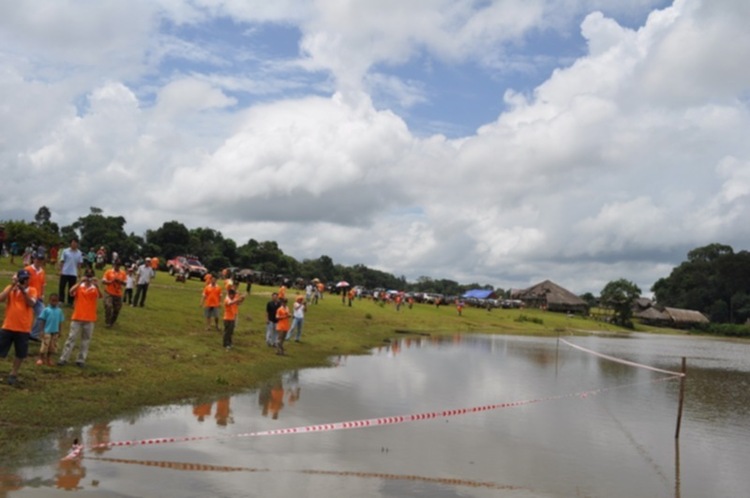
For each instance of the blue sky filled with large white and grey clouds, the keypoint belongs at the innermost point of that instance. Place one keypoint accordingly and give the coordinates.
(502, 142)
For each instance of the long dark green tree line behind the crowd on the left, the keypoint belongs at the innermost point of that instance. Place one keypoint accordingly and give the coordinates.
(214, 250)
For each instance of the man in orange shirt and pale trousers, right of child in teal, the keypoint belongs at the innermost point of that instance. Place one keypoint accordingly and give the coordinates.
(86, 294)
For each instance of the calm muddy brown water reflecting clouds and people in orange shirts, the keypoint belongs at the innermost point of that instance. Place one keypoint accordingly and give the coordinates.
(555, 422)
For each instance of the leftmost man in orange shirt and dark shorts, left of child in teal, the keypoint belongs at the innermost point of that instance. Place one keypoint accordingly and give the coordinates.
(19, 298)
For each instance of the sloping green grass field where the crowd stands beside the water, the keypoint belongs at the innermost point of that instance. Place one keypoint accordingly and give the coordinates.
(162, 353)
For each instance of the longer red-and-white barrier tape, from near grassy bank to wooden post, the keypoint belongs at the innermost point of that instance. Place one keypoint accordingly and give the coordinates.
(357, 424)
